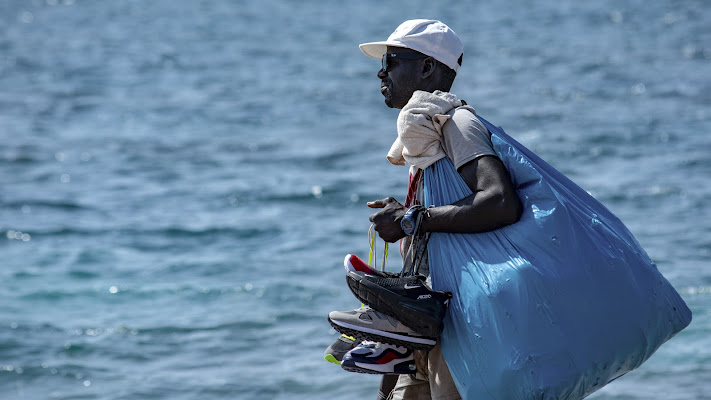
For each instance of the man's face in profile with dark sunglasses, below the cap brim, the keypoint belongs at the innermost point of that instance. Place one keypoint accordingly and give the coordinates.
(399, 82)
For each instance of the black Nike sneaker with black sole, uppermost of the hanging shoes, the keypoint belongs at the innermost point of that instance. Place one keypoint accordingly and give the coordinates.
(406, 298)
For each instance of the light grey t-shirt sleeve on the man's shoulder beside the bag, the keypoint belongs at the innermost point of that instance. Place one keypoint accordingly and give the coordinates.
(465, 138)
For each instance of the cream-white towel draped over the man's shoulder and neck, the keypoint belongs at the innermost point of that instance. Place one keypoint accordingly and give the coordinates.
(419, 129)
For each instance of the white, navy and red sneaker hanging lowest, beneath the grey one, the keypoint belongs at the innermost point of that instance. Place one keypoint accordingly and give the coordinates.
(379, 358)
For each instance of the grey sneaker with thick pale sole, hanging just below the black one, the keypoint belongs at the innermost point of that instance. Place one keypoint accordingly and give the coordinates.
(368, 324)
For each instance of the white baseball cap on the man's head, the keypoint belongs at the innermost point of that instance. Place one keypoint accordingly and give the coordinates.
(429, 37)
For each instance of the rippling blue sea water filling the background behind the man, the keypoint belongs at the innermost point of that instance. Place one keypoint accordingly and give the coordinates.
(180, 181)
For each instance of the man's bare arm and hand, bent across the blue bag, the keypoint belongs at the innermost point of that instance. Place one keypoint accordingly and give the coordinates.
(493, 204)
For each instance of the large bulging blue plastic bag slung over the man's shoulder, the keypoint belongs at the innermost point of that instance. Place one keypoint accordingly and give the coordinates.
(554, 306)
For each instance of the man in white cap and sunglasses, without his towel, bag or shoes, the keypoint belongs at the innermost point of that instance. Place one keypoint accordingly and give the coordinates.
(425, 55)
